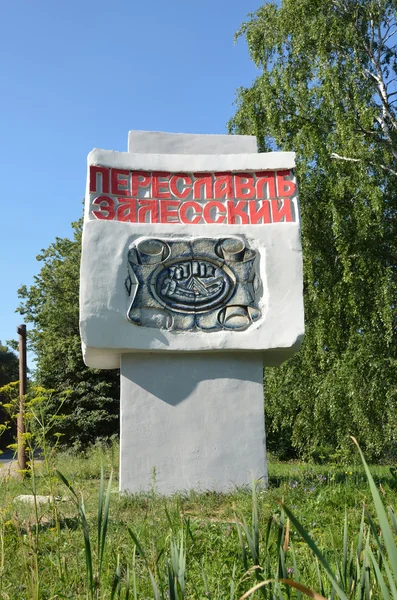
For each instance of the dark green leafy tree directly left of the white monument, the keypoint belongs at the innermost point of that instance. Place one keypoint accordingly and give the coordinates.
(90, 408)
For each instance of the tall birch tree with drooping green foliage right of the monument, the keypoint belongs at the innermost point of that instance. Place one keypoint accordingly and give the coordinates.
(326, 89)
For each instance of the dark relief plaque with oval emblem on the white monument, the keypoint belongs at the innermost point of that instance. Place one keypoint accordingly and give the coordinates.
(200, 284)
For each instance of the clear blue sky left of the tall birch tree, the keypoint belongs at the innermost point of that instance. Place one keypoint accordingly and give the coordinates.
(80, 74)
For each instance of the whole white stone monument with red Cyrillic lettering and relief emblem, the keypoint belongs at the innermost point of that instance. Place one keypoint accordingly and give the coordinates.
(191, 282)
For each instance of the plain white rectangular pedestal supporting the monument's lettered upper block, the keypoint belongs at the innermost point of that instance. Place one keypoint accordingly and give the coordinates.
(191, 422)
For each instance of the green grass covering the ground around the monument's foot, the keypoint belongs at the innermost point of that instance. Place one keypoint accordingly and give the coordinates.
(74, 549)
